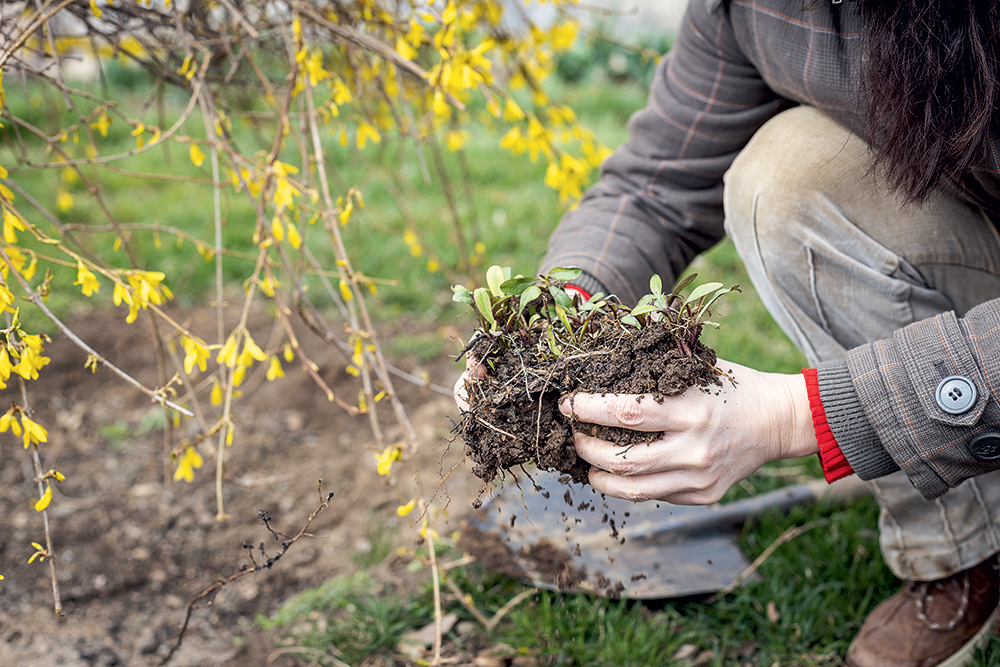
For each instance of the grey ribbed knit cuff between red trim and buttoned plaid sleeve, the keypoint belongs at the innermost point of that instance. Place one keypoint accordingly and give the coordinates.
(846, 417)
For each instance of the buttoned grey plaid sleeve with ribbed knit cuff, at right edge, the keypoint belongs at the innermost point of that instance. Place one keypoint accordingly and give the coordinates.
(925, 400)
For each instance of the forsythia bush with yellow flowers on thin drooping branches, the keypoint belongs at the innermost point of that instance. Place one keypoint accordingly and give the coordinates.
(325, 77)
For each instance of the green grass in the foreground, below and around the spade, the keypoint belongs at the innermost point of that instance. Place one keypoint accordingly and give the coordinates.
(810, 597)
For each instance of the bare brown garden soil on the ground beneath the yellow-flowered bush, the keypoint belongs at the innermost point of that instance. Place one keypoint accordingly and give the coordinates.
(133, 549)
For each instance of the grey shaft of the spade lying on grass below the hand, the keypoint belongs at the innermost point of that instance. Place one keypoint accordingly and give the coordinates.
(736, 513)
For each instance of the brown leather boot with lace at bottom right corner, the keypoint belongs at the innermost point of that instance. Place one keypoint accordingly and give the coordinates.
(931, 623)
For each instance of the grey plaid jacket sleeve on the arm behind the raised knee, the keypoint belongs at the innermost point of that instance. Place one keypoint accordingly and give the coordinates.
(658, 202)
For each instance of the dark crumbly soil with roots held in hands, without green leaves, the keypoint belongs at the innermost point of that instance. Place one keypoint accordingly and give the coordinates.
(514, 418)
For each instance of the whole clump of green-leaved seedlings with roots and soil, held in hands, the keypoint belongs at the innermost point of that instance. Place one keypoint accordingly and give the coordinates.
(538, 342)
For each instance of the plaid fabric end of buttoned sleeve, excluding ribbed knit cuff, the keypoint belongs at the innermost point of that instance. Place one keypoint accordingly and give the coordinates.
(899, 382)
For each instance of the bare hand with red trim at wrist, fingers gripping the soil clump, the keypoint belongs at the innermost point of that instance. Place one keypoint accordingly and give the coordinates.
(712, 437)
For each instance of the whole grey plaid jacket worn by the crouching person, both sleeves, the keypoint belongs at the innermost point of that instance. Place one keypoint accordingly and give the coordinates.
(659, 203)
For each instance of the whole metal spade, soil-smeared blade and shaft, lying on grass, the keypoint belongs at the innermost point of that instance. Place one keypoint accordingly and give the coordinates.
(569, 538)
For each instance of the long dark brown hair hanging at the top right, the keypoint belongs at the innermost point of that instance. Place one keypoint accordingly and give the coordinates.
(930, 79)
